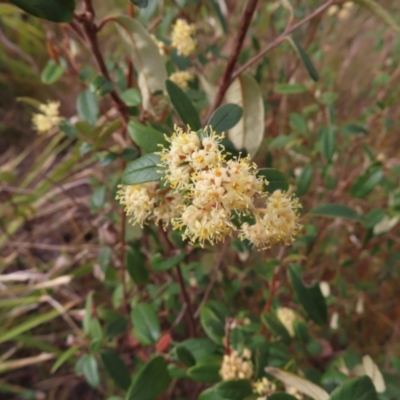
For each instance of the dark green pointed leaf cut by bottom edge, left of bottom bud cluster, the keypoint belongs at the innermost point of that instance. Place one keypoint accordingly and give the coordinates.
(151, 381)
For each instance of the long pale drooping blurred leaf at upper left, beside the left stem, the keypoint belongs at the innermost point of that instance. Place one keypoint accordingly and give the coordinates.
(147, 60)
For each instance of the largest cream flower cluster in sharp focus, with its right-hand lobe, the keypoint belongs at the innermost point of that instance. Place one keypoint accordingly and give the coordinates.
(217, 190)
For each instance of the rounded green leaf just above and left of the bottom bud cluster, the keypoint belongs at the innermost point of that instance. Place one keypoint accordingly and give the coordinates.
(212, 317)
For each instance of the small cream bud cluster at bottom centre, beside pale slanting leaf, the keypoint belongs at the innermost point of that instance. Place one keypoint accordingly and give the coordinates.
(236, 366)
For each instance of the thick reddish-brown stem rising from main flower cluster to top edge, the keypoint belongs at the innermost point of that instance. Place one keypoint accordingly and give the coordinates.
(227, 77)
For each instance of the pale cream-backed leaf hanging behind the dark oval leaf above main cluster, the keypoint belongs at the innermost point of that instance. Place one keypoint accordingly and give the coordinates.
(248, 133)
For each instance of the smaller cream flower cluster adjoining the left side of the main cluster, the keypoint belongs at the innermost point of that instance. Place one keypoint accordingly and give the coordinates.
(149, 202)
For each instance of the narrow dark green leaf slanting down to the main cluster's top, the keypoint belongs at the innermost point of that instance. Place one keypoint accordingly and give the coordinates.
(183, 106)
